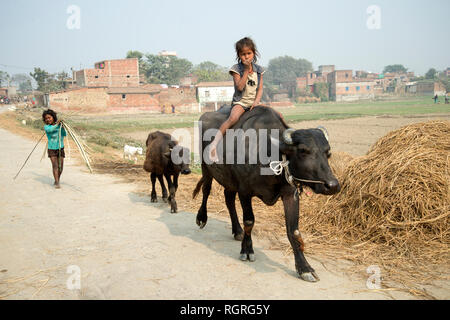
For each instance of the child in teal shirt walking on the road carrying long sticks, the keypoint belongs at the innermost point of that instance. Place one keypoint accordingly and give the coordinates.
(55, 135)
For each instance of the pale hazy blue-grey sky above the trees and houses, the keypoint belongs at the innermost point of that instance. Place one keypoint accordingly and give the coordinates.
(414, 33)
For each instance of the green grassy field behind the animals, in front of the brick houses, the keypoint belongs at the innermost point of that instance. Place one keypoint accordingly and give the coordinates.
(108, 130)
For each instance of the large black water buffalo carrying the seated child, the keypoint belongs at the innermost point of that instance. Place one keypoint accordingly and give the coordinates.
(305, 156)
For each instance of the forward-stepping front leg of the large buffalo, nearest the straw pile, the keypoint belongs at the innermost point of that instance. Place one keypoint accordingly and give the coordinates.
(291, 213)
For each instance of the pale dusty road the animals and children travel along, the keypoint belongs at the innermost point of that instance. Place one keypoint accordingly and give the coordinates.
(128, 248)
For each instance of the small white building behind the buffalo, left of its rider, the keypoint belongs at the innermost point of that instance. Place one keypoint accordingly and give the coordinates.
(214, 92)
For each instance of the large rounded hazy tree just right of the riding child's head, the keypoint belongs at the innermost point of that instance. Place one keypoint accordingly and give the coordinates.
(286, 69)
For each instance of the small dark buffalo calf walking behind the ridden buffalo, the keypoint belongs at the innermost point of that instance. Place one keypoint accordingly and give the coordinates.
(158, 161)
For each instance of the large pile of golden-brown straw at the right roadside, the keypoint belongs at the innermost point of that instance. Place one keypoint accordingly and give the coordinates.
(394, 206)
